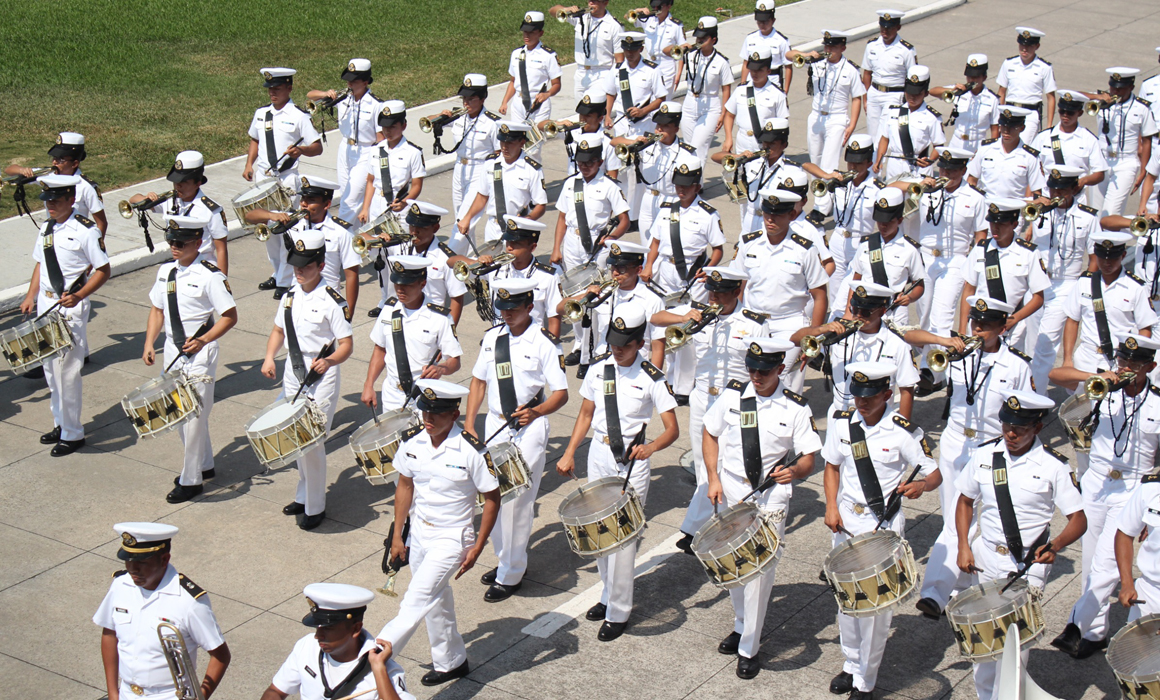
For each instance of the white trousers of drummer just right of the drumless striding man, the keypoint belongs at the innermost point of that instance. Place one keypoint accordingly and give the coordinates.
(513, 528)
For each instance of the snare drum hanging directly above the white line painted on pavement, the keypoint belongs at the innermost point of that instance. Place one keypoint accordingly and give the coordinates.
(599, 521)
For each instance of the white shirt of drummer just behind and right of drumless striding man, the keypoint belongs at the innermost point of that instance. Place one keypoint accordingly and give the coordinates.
(538, 365)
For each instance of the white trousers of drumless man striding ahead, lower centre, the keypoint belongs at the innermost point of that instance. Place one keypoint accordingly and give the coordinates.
(436, 557)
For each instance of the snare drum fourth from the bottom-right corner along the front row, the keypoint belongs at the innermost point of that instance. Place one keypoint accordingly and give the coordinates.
(737, 546)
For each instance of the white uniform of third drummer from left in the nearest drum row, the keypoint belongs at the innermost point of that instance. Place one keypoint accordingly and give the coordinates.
(320, 316)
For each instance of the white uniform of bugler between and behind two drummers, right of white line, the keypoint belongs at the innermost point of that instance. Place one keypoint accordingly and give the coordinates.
(720, 351)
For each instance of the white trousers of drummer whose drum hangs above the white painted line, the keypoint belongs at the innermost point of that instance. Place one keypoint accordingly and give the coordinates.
(618, 571)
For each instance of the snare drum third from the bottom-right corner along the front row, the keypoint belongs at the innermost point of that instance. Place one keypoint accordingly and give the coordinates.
(872, 574)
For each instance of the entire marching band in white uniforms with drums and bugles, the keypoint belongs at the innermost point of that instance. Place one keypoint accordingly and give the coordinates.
(961, 265)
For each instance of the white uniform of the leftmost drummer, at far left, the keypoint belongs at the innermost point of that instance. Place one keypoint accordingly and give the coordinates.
(78, 247)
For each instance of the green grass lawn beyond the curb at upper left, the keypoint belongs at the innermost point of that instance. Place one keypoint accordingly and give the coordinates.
(144, 80)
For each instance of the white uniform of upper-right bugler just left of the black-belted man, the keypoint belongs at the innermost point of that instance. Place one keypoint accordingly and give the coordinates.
(836, 85)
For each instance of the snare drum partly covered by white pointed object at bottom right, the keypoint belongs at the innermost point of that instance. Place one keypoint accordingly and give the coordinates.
(981, 616)
